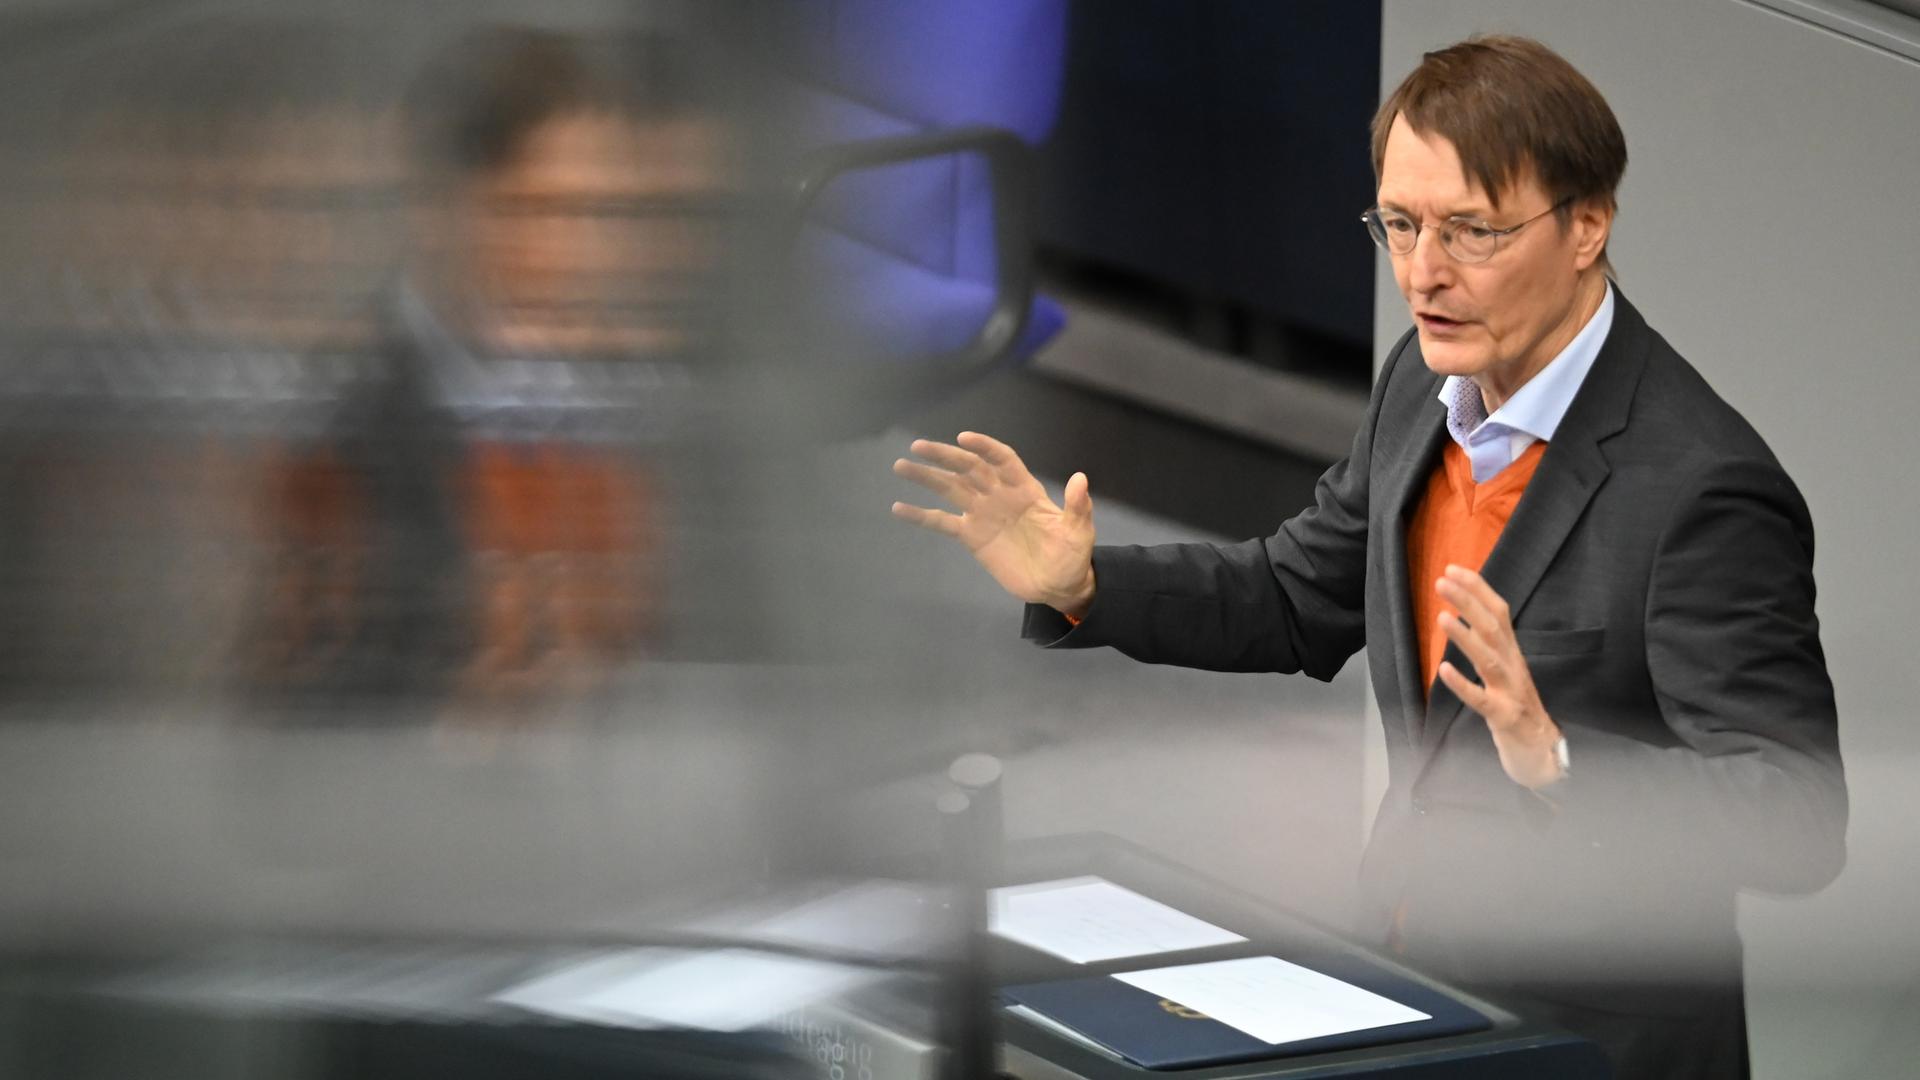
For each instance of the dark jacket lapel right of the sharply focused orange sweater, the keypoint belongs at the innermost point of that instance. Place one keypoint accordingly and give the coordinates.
(1572, 470)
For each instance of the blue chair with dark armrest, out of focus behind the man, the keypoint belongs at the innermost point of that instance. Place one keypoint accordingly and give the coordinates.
(919, 199)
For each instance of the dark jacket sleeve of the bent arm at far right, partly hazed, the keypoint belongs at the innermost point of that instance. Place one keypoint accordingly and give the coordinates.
(1754, 783)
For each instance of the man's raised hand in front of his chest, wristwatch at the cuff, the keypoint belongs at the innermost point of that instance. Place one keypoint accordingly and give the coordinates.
(1524, 733)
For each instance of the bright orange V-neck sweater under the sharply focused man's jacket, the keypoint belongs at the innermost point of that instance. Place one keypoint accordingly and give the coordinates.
(1458, 522)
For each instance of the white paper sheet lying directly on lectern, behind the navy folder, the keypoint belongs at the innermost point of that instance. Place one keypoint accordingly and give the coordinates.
(1093, 920)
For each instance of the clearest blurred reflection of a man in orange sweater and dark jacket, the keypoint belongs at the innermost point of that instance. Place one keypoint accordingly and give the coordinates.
(496, 537)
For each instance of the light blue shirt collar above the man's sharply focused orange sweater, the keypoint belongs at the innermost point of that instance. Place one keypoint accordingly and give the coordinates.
(1533, 414)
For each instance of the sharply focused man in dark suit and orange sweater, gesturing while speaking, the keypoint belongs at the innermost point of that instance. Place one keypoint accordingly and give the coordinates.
(1585, 581)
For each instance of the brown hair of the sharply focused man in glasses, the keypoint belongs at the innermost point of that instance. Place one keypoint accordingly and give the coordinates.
(1510, 107)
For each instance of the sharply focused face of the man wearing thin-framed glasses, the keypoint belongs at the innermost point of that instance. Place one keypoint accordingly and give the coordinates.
(1504, 320)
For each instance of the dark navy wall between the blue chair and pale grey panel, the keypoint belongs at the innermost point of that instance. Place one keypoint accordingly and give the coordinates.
(1218, 155)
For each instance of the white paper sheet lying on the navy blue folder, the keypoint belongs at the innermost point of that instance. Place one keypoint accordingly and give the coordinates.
(1274, 1000)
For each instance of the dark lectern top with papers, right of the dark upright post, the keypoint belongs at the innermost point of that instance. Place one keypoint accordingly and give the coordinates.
(1113, 964)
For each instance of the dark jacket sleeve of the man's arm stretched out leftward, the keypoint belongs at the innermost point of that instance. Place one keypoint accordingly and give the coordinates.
(1291, 602)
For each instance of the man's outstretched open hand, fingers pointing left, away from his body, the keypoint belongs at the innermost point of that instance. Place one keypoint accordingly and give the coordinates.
(1038, 551)
